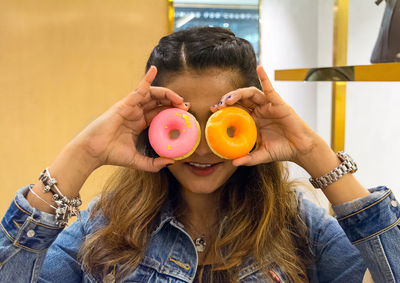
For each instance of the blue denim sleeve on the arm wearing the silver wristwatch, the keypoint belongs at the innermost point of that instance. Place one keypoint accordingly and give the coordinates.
(372, 224)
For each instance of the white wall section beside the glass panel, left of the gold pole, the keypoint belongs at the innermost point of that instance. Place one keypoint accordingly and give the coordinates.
(289, 40)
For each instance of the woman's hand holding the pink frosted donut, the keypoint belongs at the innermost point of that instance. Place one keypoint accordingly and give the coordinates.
(112, 137)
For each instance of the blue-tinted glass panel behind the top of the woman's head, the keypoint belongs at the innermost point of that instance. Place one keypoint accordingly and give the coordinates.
(242, 17)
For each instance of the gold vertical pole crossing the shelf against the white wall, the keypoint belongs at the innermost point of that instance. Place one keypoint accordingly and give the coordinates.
(340, 22)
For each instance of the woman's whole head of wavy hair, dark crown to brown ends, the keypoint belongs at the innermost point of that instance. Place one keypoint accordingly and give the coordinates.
(258, 211)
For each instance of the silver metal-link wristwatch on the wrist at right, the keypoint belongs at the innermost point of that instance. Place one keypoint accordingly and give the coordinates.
(347, 166)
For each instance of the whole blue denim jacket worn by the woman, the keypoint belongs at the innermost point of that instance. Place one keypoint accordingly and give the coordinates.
(366, 233)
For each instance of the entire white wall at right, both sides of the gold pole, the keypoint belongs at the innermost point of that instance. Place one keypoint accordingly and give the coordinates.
(298, 34)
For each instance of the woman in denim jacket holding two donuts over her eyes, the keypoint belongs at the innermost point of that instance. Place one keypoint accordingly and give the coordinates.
(201, 219)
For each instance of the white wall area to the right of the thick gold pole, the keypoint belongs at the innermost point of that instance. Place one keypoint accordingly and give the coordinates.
(373, 118)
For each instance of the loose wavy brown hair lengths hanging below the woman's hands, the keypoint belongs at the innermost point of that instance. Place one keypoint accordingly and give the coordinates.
(258, 215)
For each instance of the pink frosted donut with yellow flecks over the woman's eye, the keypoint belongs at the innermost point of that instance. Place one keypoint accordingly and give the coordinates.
(174, 133)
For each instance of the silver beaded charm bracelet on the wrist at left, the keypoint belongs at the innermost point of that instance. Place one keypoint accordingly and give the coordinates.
(66, 208)
